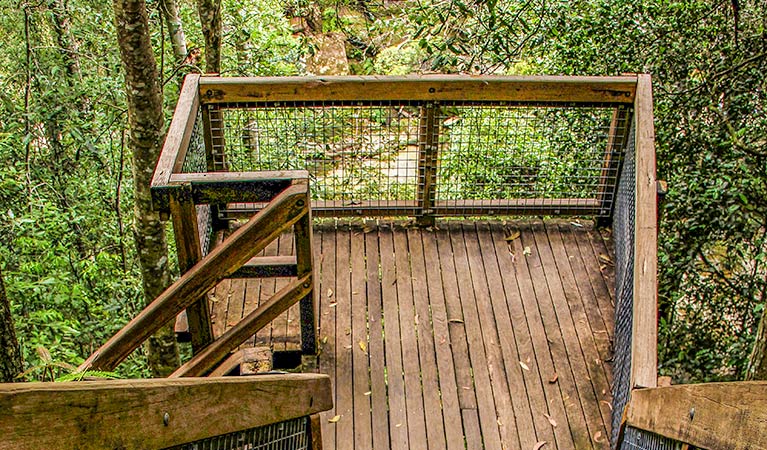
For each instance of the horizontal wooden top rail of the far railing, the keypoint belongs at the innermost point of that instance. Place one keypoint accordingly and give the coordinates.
(548, 89)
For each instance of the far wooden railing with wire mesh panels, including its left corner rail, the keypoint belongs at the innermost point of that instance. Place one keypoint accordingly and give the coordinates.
(305, 117)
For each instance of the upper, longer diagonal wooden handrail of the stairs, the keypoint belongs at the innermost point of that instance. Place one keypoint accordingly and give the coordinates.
(241, 246)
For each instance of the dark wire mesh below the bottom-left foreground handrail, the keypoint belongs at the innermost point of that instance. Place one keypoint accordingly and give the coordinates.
(291, 434)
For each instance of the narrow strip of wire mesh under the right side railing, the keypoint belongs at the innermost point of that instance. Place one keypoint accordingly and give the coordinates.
(623, 237)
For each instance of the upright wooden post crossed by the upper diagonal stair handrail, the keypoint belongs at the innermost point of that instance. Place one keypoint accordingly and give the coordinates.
(189, 251)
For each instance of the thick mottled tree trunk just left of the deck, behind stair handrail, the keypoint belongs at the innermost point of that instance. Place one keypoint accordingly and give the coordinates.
(145, 120)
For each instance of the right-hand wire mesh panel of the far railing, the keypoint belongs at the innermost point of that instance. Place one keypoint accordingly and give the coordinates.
(499, 152)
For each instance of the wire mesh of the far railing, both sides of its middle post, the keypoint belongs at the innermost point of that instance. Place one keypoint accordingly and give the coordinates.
(368, 152)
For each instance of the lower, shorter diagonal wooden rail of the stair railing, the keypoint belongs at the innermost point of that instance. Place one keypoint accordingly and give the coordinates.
(245, 328)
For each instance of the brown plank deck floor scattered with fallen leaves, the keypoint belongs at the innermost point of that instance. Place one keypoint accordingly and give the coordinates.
(469, 335)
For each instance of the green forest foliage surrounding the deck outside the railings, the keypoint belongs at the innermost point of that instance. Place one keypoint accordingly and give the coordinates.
(68, 232)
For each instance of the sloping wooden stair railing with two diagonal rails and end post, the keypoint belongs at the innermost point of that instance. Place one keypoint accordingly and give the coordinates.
(288, 209)
